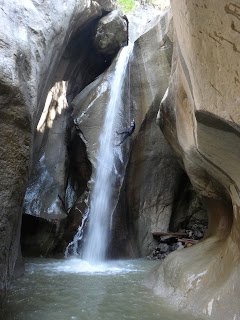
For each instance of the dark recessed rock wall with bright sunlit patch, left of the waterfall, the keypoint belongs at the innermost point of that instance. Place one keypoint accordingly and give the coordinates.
(58, 151)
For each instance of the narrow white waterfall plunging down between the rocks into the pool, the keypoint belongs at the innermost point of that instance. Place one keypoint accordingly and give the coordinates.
(100, 206)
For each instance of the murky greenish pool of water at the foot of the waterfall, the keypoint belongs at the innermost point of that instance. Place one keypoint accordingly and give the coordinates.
(73, 289)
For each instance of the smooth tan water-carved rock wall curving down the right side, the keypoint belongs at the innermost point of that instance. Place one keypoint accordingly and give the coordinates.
(201, 119)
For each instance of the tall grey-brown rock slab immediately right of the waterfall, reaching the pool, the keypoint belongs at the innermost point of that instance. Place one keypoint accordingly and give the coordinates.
(145, 203)
